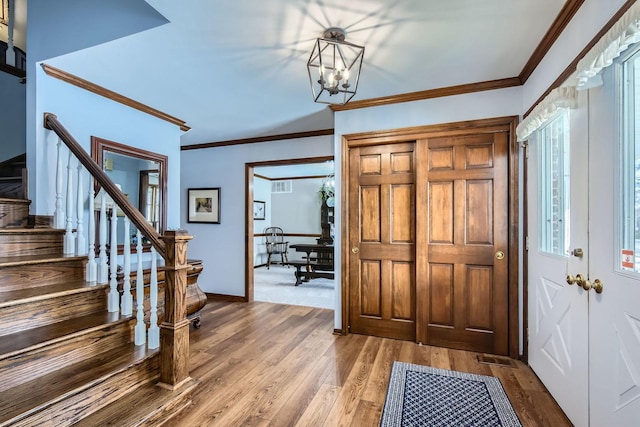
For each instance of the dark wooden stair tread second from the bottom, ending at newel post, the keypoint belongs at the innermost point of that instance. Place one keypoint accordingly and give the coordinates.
(69, 380)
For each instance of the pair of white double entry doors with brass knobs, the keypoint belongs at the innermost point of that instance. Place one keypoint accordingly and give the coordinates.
(584, 341)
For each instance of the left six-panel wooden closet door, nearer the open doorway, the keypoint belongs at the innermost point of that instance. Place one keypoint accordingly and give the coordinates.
(382, 241)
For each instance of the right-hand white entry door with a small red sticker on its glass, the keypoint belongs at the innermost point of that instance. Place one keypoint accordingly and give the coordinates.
(614, 211)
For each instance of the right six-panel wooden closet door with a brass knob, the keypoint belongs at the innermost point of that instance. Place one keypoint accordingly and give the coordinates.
(464, 301)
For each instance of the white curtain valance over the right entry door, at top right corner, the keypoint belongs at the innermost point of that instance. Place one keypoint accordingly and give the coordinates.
(623, 34)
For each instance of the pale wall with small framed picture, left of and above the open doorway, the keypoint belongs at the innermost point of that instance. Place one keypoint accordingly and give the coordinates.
(221, 246)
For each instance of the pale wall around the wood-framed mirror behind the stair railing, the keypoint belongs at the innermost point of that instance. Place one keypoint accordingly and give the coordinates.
(84, 115)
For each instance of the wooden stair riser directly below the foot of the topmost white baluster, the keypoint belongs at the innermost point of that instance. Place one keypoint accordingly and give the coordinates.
(23, 244)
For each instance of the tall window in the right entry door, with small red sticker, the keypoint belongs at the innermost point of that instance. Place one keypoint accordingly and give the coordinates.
(630, 166)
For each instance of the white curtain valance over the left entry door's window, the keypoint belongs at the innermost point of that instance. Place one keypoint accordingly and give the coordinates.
(561, 97)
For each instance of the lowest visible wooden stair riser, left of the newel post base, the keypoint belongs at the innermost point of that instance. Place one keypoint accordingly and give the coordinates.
(68, 411)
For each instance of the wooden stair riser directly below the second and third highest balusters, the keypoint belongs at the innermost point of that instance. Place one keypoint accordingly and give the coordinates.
(34, 275)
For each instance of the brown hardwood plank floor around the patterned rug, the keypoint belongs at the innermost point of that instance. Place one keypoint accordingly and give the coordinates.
(264, 364)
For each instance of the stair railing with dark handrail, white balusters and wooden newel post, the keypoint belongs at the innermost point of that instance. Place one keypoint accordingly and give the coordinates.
(172, 336)
